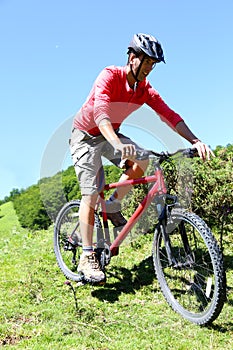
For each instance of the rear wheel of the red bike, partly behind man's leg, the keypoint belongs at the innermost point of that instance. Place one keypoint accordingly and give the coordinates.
(68, 241)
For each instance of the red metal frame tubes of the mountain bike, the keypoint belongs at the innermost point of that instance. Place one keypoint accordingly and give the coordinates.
(159, 188)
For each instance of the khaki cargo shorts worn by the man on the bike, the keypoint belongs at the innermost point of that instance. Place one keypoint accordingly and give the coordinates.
(86, 151)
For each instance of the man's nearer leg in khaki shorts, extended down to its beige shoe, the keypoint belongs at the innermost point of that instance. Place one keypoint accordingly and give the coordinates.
(86, 153)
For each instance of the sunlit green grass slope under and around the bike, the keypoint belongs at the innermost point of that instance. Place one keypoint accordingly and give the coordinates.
(39, 311)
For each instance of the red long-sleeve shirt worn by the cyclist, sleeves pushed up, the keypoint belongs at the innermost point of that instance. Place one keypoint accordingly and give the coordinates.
(111, 97)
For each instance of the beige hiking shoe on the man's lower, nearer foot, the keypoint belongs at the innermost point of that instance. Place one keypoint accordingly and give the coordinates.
(90, 268)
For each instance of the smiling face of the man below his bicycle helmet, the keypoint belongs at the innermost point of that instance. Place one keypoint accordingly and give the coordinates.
(148, 64)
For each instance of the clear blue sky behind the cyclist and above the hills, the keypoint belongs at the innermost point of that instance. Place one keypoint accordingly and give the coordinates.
(51, 52)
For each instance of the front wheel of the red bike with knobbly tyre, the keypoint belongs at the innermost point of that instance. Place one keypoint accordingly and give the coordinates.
(189, 267)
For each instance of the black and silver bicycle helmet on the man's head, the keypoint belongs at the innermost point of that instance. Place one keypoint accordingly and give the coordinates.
(147, 44)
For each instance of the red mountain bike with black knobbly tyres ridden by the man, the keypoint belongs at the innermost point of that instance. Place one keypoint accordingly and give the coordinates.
(187, 260)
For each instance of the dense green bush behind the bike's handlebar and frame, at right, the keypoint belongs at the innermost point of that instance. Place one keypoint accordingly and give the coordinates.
(203, 187)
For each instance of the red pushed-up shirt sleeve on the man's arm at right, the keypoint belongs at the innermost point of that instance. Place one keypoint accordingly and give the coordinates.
(162, 109)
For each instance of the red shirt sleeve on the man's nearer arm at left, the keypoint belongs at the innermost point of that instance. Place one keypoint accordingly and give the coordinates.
(102, 95)
